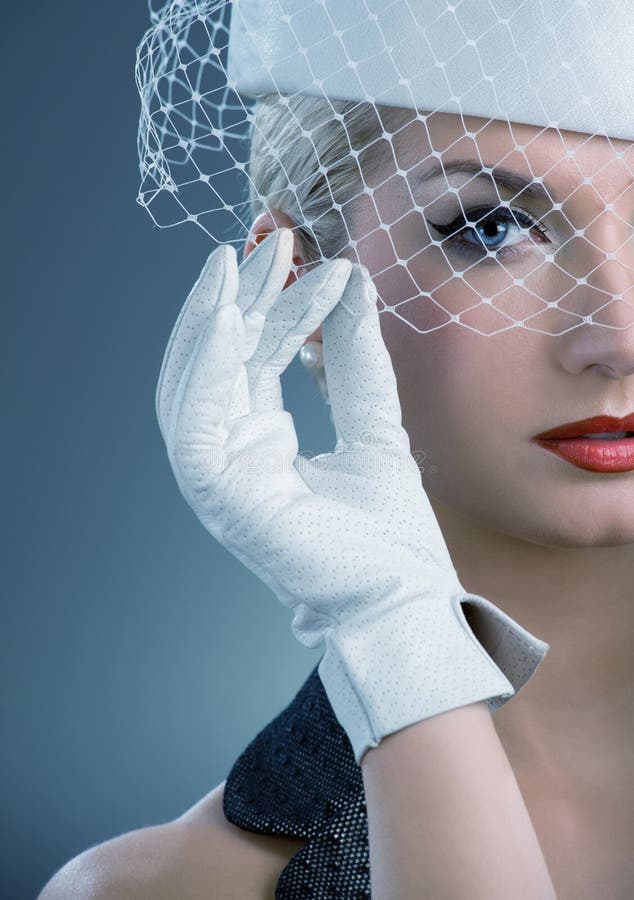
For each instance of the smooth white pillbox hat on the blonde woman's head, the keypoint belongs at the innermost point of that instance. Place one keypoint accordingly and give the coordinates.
(562, 63)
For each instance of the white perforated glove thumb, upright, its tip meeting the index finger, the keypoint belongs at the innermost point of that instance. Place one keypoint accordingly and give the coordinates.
(361, 382)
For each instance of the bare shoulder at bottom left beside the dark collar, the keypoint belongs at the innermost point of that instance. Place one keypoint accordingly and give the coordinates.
(197, 856)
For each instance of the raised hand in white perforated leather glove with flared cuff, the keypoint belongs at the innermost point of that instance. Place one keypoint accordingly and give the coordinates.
(348, 540)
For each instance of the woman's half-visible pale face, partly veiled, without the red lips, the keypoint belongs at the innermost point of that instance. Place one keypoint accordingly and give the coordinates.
(473, 399)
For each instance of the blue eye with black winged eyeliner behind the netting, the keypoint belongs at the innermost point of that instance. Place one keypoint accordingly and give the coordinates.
(488, 228)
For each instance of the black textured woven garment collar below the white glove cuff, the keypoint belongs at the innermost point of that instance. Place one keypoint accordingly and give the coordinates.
(299, 778)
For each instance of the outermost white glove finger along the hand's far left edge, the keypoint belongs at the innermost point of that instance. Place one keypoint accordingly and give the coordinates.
(218, 278)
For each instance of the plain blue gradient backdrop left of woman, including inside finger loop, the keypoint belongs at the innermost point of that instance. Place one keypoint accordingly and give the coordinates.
(138, 656)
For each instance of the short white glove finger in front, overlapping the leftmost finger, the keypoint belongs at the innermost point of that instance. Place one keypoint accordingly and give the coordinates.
(200, 421)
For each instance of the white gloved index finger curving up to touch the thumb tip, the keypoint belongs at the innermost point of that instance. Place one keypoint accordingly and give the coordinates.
(297, 312)
